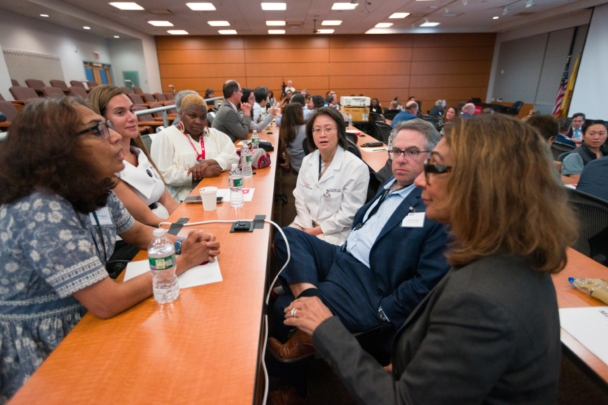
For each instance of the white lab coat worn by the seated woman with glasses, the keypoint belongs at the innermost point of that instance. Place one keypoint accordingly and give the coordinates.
(333, 201)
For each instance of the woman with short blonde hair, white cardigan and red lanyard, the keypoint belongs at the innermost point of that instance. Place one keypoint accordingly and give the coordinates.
(189, 152)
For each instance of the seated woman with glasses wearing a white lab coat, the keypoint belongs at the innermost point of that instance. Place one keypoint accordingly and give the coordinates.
(332, 183)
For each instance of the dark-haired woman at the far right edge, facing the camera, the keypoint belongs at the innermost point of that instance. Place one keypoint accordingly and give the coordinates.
(594, 136)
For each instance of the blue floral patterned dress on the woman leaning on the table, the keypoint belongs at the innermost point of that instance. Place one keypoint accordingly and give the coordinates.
(47, 253)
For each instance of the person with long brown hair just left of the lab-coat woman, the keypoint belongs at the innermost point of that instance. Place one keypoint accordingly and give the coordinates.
(292, 134)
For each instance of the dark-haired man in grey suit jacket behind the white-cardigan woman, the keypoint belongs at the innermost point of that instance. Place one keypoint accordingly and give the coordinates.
(227, 119)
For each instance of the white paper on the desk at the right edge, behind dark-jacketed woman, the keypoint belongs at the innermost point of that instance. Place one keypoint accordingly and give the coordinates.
(589, 326)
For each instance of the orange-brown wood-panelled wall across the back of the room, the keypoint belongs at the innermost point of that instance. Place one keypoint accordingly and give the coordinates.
(428, 66)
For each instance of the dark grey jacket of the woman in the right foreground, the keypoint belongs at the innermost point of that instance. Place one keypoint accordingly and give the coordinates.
(487, 334)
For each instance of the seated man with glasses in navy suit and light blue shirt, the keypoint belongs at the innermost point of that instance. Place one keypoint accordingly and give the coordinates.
(390, 261)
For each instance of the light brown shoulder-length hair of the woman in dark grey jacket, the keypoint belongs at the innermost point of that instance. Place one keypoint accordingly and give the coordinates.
(506, 195)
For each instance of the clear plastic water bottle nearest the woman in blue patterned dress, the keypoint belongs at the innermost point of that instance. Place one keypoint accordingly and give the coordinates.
(161, 254)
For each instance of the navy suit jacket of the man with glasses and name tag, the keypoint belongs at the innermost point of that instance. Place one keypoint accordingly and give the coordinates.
(406, 263)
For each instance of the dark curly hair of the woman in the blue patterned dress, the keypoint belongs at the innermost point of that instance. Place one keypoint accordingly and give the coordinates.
(42, 153)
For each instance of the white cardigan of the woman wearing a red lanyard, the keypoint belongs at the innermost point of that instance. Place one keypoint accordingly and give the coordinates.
(173, 154)
